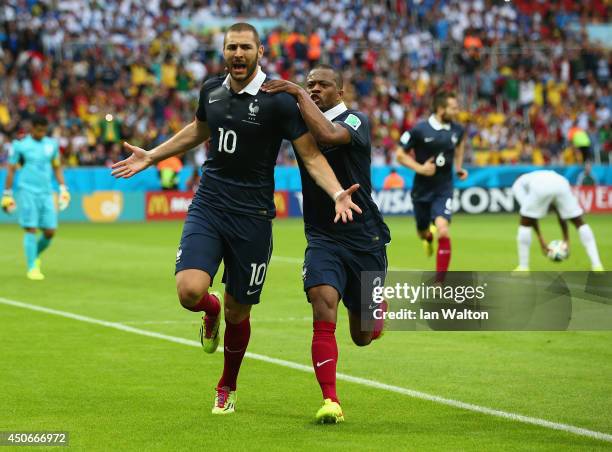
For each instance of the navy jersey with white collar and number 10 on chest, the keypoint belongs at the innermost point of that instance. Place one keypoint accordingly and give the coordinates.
(246, 131)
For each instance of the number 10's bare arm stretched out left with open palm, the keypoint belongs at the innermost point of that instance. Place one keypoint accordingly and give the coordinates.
(187, 138)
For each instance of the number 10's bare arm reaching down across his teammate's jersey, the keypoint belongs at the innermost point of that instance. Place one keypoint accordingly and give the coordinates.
(318, 167)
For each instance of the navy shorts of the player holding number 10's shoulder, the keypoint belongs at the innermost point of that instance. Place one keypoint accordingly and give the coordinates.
(328, 263)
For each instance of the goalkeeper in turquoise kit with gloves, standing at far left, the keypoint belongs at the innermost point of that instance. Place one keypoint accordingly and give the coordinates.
(38, 156)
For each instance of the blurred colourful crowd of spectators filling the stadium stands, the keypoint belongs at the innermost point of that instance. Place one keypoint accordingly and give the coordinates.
(533, 88)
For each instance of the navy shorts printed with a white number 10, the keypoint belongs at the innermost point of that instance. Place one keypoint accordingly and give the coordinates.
(243, 242)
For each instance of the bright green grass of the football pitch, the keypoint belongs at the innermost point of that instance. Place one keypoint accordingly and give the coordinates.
(115, 390)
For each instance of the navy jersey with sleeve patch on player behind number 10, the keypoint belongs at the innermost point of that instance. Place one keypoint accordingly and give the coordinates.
(351, 164)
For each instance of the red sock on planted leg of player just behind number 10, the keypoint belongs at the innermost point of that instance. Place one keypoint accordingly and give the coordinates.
(325, 357)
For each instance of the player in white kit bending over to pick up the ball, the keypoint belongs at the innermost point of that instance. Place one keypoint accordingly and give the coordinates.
(538, 191)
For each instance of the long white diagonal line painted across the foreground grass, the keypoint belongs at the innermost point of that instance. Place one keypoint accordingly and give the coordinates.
(344, 377)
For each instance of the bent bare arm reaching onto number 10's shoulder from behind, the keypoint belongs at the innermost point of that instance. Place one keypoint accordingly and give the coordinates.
(323, 130)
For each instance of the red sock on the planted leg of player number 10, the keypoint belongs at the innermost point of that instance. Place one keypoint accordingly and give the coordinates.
(235, 343)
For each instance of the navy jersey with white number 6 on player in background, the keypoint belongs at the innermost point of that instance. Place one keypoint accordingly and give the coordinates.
(432, 139)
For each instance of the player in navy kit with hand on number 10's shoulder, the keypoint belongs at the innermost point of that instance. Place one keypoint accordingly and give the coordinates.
(336, 254)
